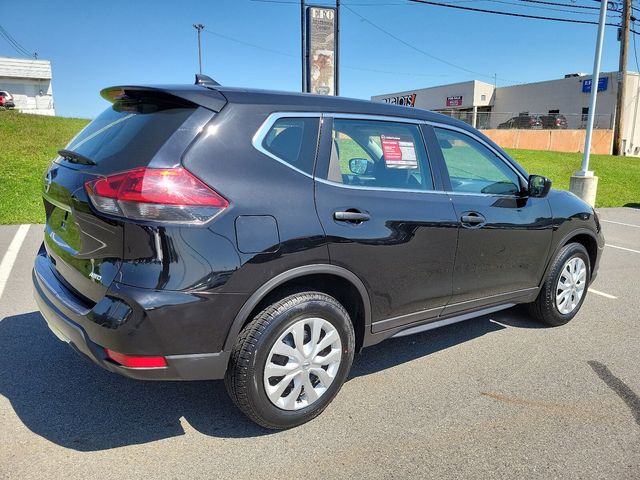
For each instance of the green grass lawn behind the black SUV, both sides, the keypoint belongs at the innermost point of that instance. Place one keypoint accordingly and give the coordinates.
(30, 142)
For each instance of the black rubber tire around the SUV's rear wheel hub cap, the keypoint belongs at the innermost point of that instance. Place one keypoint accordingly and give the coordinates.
(244, 377)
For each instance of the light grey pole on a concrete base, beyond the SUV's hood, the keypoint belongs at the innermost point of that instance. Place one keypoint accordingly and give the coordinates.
(583, 183)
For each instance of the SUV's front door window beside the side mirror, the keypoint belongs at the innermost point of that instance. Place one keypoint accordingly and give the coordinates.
(473, 167)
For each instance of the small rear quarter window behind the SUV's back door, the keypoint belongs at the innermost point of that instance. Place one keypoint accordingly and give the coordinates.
(294, 141)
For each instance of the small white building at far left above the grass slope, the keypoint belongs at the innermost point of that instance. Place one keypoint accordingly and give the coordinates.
(29, 81)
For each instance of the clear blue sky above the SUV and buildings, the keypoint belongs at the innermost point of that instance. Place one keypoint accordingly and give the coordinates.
(97, 44)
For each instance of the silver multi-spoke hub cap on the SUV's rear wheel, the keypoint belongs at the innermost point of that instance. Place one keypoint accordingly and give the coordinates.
(302, 363)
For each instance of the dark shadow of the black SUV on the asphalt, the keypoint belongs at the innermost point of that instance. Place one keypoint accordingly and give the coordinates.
(75, 404)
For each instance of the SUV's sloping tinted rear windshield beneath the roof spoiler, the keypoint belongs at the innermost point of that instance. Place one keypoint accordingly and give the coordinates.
(130, 132)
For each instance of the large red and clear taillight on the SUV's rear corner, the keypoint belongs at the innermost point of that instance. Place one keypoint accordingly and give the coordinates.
(158, 194)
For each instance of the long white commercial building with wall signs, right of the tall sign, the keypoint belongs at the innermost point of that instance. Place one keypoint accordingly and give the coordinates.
(488, 107)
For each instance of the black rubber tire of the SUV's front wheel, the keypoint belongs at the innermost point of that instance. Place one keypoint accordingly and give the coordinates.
(544, 308)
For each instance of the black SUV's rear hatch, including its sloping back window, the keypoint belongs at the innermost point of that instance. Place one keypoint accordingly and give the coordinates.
(85, 248)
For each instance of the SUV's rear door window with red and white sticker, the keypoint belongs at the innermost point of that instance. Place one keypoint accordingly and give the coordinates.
(381, 154)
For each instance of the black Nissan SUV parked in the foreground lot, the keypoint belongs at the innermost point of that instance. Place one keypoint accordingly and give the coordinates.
(204, 232)
